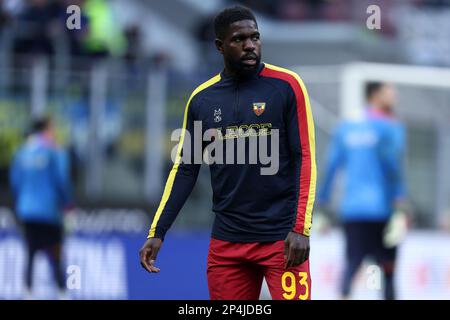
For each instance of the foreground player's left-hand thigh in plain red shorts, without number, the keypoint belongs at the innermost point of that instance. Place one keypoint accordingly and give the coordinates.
(234, 282)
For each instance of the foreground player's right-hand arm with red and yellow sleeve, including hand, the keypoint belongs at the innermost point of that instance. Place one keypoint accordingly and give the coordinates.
(301, 139)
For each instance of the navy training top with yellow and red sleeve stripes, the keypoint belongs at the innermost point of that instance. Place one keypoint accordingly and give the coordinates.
(249, 206)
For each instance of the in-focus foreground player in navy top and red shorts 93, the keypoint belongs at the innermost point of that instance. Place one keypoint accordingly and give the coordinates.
(262, 224)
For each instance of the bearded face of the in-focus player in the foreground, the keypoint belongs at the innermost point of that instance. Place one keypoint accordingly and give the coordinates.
(241, 47)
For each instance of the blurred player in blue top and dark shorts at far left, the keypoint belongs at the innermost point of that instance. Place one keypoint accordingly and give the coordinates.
(40, 182)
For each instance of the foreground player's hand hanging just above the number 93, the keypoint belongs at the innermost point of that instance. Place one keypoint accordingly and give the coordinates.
(296, 249)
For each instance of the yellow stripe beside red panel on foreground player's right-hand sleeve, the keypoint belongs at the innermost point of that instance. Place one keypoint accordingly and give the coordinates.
(312, 146)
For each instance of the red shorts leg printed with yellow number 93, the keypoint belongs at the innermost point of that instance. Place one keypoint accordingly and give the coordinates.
(289, 284)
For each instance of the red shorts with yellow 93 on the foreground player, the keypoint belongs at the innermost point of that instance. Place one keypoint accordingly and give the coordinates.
(236, 270)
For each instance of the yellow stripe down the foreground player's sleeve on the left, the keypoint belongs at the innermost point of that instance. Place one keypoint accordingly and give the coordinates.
(173, 172)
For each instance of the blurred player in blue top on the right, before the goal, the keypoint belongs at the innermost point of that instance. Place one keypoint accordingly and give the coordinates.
(369, 150)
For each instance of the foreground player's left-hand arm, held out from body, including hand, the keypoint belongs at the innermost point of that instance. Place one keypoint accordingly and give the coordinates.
(180, 182)
